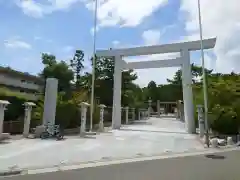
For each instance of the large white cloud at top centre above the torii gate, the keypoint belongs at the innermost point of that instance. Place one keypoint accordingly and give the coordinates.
(120, 12)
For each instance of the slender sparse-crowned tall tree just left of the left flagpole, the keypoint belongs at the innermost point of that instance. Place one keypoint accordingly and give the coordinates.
(77, 66)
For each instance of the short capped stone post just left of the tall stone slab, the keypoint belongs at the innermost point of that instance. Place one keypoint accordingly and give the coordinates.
(27, 117)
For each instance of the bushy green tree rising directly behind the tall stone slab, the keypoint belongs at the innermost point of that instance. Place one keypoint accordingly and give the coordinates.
(59, 70)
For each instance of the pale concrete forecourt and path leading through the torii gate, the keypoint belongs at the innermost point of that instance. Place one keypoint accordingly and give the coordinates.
(154, 137)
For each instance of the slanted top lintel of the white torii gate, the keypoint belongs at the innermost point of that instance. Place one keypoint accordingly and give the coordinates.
(159, 49)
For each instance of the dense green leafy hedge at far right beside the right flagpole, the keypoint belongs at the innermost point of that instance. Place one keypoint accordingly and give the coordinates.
(224, 102)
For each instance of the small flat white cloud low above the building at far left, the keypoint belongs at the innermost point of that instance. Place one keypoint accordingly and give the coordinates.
(16, 43)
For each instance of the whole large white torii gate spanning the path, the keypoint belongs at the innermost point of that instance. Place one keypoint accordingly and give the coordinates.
(183, 61)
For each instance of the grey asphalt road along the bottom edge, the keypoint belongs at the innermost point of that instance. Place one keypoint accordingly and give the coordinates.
(181, 168)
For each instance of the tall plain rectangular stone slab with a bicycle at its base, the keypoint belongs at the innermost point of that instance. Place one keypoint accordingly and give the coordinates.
(50, 101)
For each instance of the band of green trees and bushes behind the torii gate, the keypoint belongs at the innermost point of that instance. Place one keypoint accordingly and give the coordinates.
(75, 87)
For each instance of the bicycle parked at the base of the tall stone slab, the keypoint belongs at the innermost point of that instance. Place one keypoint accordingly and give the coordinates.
(52, 131)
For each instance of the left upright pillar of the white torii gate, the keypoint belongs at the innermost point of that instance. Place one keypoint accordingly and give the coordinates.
(116, 114)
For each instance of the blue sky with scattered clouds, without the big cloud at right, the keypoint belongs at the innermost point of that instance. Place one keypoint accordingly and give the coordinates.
(30, 27)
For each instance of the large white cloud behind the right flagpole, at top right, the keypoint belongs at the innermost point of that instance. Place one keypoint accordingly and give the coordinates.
(222, 21)
